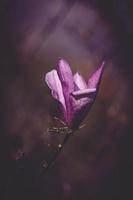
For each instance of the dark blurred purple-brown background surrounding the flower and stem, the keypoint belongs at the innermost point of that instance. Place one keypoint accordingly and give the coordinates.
(97, 161)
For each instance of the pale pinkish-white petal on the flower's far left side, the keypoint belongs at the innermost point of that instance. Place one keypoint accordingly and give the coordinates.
(53, 82)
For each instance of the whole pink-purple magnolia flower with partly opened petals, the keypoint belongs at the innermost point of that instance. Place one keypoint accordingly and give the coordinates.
(75, 95)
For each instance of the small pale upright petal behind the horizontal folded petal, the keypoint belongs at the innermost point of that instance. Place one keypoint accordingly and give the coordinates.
(79, 81)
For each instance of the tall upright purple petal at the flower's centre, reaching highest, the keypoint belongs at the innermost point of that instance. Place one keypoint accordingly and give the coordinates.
(66, 78)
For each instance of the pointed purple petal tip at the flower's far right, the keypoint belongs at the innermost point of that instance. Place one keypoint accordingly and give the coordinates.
(94, 81)
